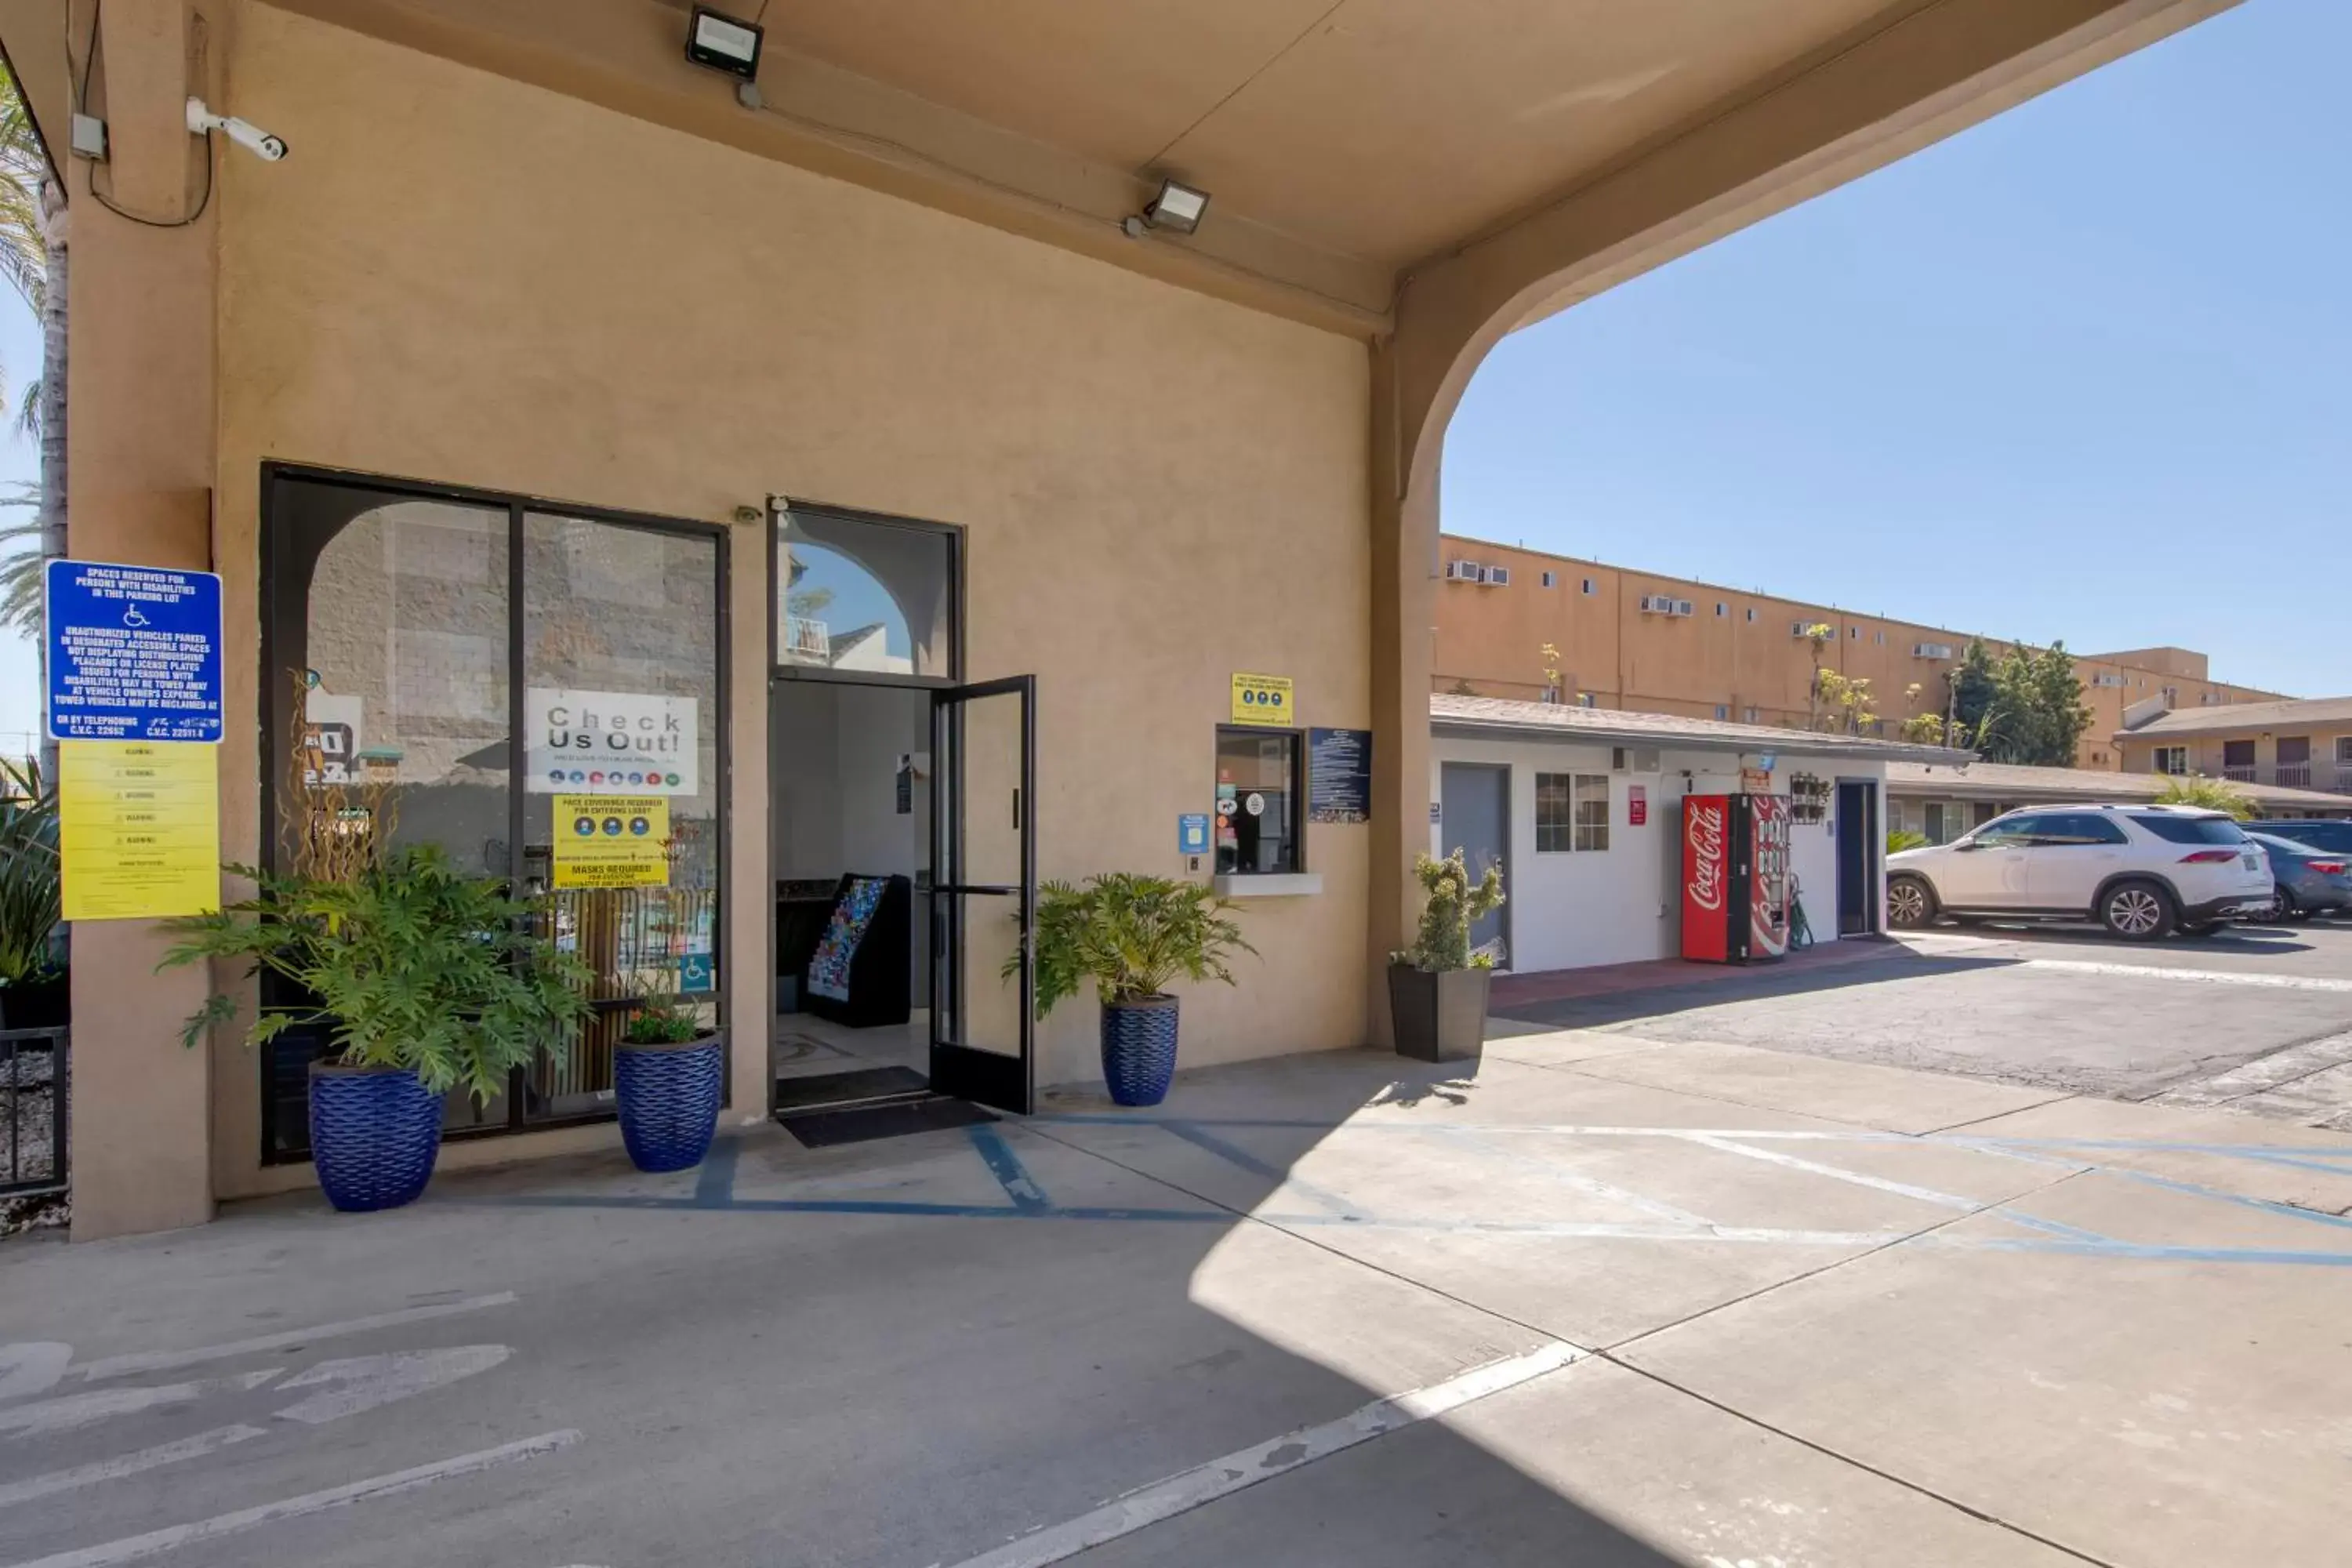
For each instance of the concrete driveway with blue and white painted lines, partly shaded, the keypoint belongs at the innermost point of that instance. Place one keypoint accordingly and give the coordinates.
(1591, 1301)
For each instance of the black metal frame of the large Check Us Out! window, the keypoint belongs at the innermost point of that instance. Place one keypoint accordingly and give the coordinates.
(519, 511)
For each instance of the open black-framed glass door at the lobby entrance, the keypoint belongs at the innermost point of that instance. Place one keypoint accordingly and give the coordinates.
(984, 902)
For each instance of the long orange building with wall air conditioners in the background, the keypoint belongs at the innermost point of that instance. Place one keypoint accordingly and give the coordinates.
(1652, 643)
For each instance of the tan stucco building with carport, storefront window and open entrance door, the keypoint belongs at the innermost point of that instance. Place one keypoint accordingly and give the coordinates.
(554, 375)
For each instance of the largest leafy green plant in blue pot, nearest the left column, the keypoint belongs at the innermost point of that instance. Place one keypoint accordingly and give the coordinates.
(422, 977)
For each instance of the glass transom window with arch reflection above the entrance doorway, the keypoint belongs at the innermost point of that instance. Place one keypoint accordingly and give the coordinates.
(864, 596)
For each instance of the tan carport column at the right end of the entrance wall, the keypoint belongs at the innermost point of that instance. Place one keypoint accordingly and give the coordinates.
(1403, 655)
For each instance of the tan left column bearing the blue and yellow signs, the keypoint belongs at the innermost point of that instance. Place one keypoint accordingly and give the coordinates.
(142, 464)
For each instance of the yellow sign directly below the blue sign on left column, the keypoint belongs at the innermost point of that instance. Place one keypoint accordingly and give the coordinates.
(140, 829)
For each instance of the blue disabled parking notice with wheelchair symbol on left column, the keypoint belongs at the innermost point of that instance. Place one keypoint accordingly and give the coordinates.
(135, 652)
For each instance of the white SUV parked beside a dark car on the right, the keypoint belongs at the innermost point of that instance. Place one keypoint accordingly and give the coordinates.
(2139, 871)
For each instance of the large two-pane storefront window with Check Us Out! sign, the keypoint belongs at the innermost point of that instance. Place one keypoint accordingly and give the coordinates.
(443, 666)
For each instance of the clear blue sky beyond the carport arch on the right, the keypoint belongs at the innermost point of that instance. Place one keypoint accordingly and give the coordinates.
(2043, 380)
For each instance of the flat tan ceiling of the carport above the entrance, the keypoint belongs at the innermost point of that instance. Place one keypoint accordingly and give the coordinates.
(1375, 128)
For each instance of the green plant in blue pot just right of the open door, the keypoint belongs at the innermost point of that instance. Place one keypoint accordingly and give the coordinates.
(1132, 937)
